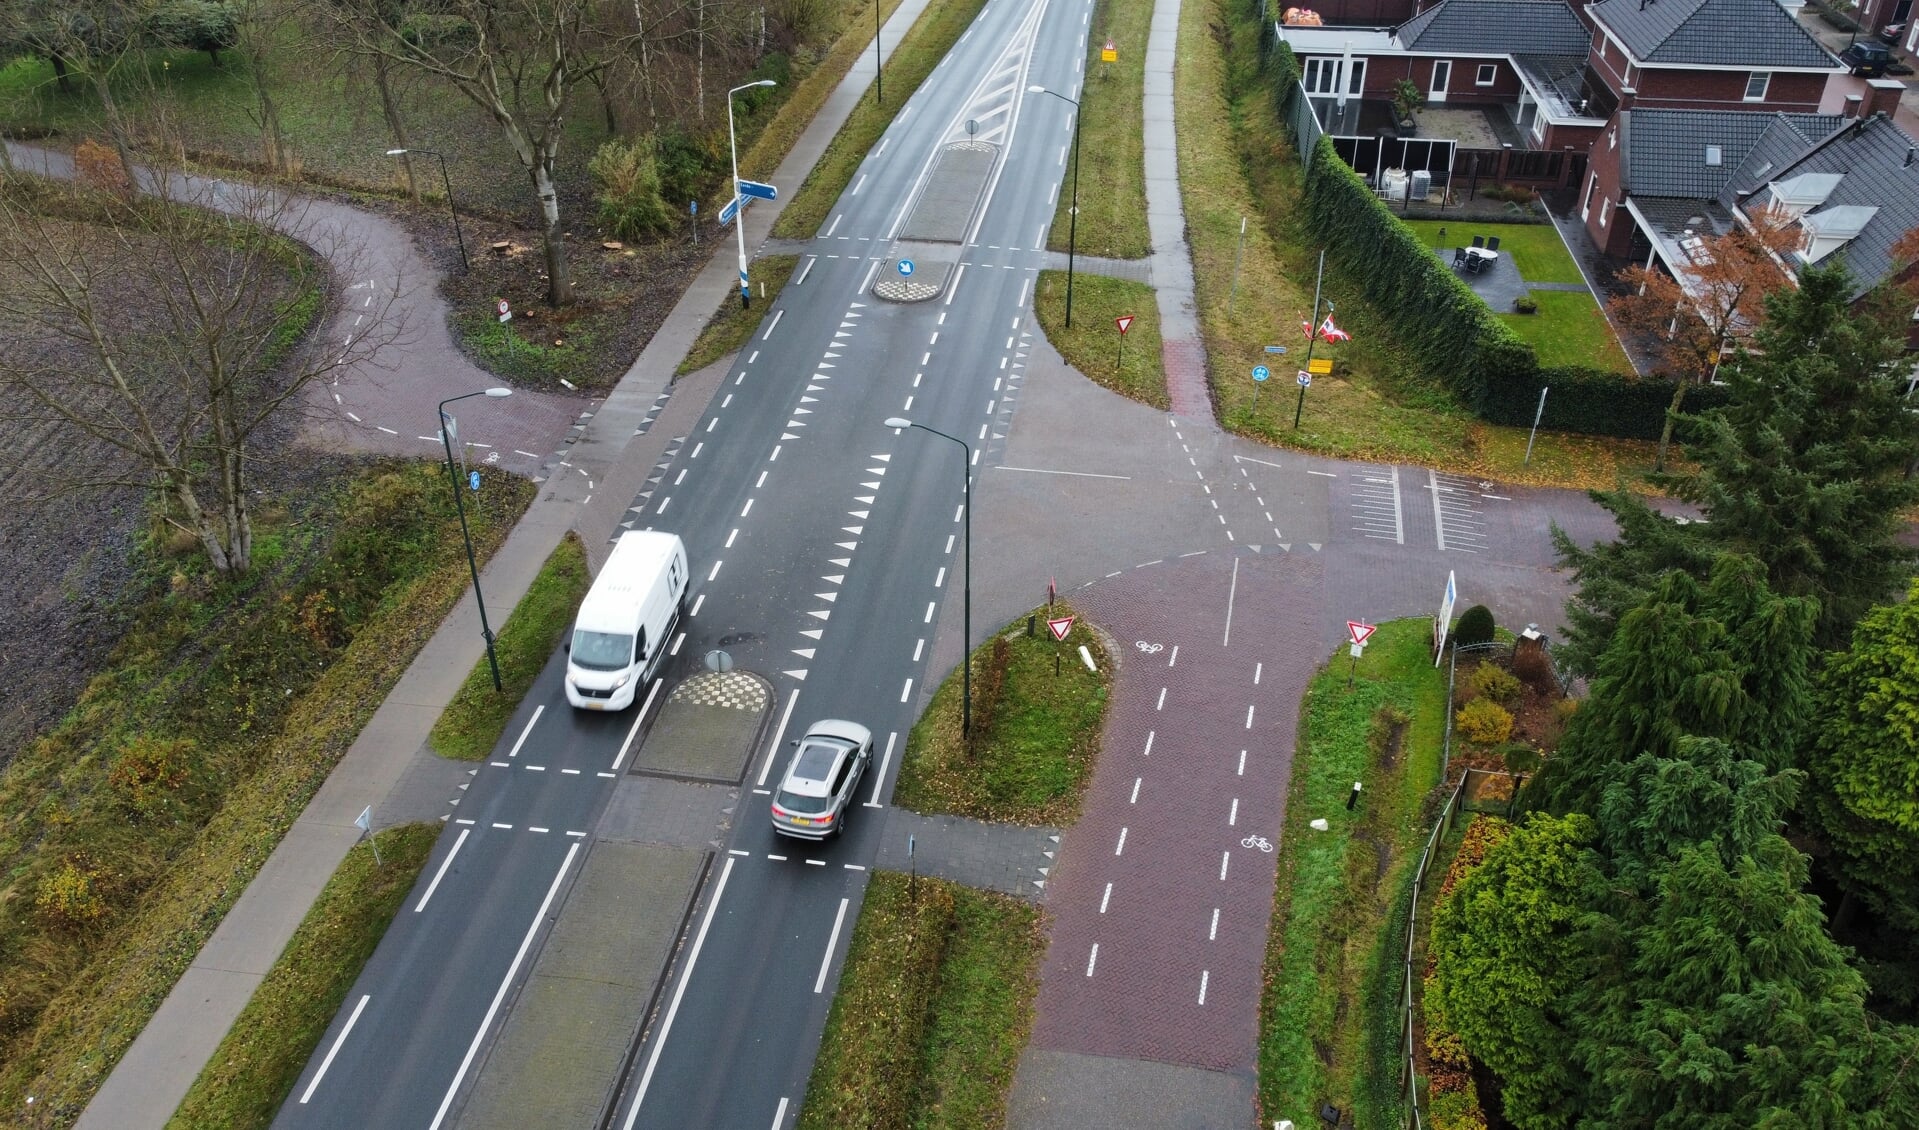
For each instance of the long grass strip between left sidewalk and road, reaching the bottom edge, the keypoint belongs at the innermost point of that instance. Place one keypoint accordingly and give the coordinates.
(264, 1054)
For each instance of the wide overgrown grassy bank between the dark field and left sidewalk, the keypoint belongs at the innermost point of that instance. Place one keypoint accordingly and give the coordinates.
(158, 799)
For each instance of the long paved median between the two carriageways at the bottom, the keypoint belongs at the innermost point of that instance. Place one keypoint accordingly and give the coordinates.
(559, 1056)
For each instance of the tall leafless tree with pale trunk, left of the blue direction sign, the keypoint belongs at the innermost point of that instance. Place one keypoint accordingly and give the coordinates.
(517, 60)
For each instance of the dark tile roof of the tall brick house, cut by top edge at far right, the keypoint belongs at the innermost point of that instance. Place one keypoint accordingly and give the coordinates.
(1713, 34)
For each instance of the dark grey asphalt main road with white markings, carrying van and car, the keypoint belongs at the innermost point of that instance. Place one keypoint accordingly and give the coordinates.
(824, 550)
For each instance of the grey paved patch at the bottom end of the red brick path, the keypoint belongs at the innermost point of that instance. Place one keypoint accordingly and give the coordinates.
(1062, 1091)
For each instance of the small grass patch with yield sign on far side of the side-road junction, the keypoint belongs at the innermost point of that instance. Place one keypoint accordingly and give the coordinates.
(1093, 344)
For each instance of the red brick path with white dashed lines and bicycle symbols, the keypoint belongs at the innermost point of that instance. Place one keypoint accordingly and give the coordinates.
(1158, 874)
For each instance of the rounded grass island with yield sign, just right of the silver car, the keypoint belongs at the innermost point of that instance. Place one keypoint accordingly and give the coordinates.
(1035, 734)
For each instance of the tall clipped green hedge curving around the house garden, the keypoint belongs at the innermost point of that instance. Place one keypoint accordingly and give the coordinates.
(1448, 329)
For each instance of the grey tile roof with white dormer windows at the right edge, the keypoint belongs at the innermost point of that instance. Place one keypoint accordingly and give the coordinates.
(1872, 160)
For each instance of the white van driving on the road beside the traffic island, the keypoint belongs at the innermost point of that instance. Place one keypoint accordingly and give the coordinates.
(627, 621)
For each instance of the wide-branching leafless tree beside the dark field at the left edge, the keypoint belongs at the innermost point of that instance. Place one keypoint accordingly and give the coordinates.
(166, 325)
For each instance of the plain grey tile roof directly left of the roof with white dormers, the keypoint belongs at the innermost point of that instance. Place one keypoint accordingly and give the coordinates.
(1667, 151)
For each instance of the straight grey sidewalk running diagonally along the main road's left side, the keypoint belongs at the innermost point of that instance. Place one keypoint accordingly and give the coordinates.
(604, 452)
